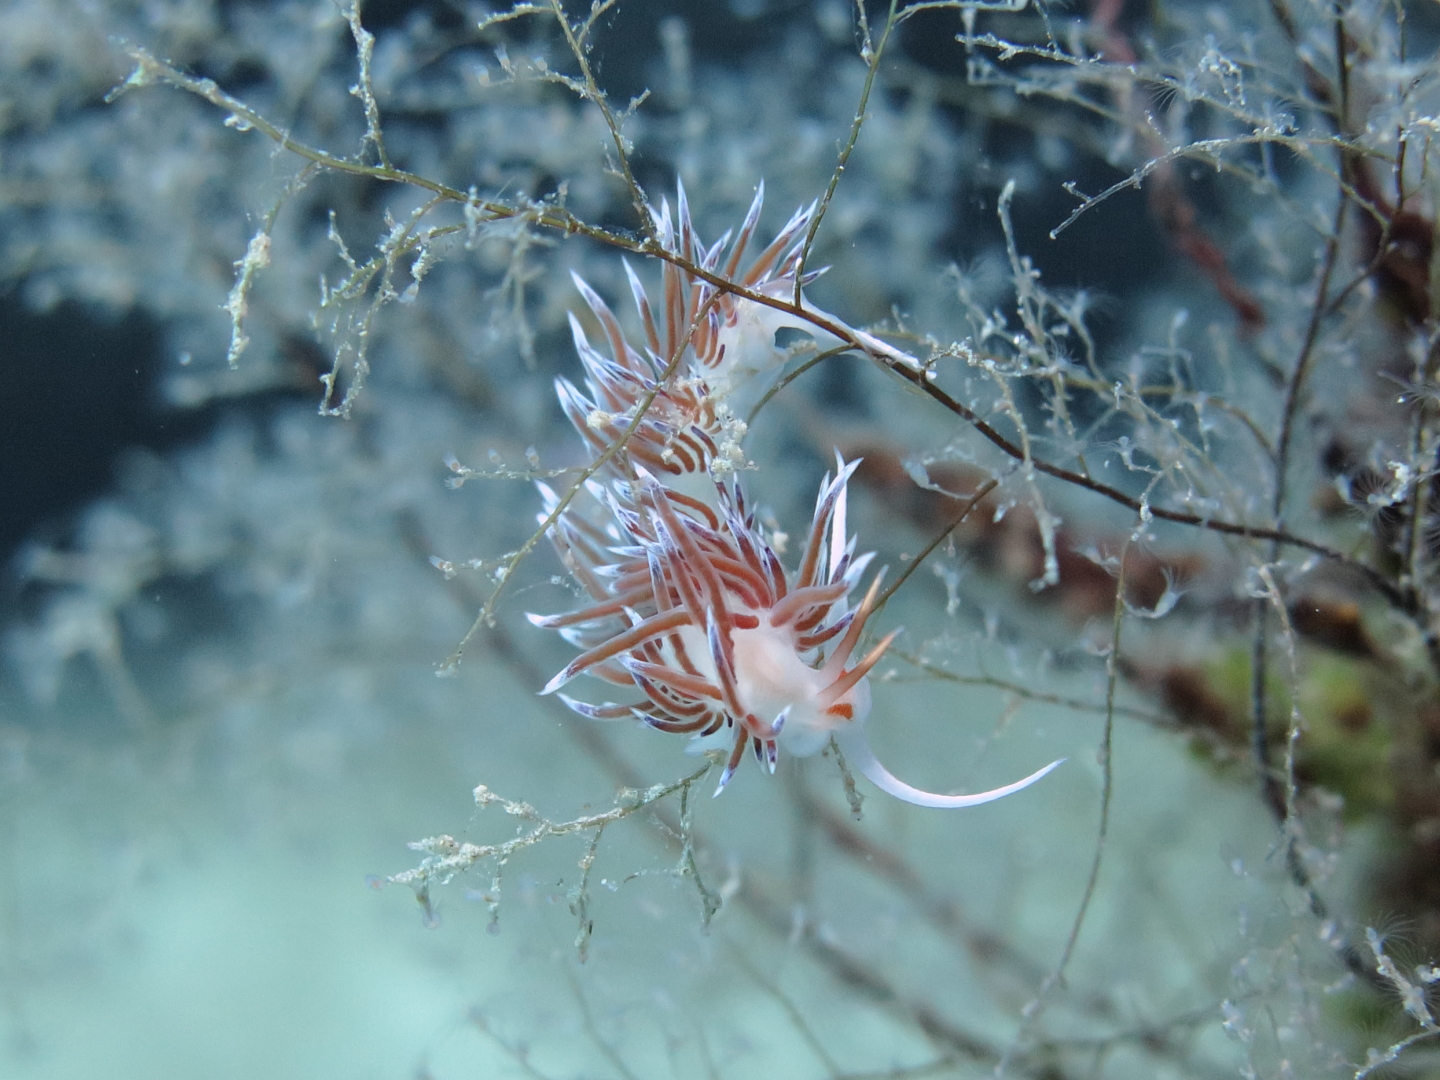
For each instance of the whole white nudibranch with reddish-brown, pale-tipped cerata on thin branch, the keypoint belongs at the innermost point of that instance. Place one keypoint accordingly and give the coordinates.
(690, 608)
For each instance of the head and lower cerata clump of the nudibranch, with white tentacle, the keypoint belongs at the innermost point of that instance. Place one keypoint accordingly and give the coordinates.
(693, 611)
